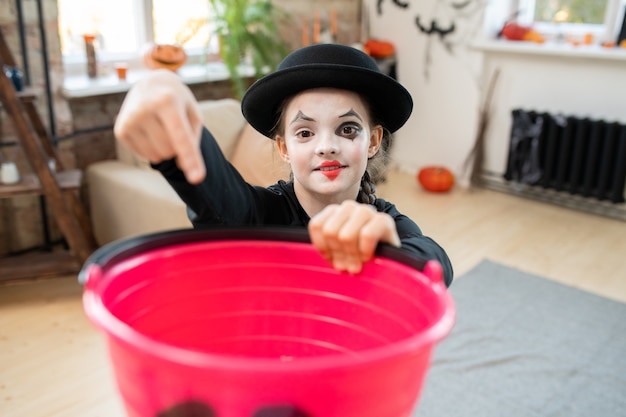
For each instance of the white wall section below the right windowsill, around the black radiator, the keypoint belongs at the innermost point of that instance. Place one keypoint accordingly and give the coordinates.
(567, 84)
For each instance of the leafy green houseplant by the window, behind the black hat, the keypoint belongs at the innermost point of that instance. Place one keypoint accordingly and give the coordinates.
(247, 31)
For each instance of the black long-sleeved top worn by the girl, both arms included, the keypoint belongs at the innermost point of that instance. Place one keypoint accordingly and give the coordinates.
(224, 198)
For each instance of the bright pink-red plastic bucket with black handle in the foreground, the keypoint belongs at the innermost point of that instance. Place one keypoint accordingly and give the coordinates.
(253, 322)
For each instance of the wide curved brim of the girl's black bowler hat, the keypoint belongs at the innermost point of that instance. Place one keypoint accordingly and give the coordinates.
(390, 102)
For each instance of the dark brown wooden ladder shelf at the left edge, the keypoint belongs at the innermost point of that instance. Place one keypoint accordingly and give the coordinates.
(58, 185)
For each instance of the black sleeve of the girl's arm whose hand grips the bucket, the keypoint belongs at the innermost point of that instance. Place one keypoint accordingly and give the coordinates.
(413, 240)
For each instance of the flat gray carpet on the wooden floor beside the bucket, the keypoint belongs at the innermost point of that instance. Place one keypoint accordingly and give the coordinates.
(524, 346)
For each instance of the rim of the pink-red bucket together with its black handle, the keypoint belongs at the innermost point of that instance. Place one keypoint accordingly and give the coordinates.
(96, 272)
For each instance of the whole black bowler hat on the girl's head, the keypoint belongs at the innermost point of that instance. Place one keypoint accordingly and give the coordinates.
(326, 65)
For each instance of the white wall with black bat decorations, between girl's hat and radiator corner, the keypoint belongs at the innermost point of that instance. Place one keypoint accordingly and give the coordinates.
(445, 84)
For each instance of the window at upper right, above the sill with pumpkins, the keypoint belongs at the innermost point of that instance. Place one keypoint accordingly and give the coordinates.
(601, 18)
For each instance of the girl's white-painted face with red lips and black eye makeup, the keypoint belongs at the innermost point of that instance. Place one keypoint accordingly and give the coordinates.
(327, 140)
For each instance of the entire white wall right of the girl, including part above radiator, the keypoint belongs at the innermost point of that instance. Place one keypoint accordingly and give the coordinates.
(443, 126)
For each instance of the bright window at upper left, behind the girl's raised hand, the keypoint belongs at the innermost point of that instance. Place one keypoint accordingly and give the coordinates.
(123, 27)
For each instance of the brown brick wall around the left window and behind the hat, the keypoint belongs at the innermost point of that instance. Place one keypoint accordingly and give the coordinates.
(84, 126)
